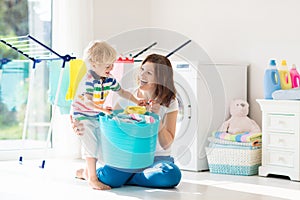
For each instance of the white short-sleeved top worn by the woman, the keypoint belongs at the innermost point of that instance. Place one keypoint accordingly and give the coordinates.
(162, 113)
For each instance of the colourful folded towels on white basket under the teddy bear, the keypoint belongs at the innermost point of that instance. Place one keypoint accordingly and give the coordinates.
(240, 137)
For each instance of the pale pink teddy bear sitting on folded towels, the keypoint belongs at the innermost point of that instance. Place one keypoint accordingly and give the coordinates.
(239, 122)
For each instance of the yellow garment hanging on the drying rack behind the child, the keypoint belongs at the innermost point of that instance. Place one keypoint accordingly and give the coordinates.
(77, 71)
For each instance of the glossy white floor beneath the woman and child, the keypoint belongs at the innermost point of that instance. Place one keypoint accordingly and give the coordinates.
(56, 181)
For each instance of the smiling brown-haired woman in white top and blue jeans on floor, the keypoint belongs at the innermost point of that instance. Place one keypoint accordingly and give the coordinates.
(156, 85)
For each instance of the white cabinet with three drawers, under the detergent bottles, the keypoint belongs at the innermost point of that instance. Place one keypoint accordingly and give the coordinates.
(280, 138)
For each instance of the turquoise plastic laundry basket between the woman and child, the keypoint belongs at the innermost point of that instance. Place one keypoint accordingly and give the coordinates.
(128, 145)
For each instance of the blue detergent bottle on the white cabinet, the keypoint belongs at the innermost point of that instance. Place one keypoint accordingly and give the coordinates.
(271, 80)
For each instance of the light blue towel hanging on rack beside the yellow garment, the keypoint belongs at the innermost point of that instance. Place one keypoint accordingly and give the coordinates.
(55, 67)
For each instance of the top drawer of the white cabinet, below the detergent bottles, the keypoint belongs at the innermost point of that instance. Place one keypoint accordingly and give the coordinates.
(281, 122)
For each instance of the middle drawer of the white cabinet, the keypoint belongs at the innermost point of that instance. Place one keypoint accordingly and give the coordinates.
(279, 140)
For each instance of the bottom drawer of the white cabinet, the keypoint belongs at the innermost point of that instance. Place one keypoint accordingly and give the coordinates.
(280, 158)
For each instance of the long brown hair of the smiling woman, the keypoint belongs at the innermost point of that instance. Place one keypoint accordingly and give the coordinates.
(165, 89)
